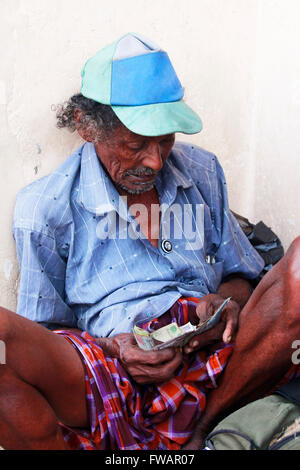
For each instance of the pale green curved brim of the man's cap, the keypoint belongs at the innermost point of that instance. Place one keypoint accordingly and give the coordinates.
(159, 119)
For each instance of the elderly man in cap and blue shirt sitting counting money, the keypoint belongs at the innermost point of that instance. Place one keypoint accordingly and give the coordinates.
(135, 229)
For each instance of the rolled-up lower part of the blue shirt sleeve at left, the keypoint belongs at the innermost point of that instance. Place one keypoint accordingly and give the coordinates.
(41, 295)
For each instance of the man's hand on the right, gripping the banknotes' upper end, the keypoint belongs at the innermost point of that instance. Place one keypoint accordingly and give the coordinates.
(225, 329)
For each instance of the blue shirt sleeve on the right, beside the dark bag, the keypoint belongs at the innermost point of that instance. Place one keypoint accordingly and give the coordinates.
(235, 250)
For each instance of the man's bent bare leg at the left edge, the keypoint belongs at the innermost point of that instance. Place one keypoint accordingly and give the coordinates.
(42, 382)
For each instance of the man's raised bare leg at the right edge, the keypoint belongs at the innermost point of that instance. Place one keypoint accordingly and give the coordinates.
(269, 323)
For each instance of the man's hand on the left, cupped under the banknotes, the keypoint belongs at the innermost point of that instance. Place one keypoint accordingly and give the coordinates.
(145, 367)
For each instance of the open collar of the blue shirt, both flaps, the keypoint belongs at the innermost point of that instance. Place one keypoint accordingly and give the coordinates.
(98, 195)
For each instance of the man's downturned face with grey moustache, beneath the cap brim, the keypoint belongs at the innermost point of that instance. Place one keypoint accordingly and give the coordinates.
(133, 161)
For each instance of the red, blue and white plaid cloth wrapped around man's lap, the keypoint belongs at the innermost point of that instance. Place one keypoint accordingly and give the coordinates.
(128, 416)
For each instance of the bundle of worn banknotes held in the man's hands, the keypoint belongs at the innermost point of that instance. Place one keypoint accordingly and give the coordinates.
(173, 335)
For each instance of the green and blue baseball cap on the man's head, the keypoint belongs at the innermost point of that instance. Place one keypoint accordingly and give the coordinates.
(136, 78)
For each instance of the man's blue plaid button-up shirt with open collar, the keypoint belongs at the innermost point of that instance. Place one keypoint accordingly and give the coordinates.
(73, 273)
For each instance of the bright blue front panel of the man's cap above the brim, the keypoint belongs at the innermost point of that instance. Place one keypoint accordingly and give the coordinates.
(144, 79)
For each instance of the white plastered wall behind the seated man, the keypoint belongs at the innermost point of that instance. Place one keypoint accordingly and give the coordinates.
(237, 59)
